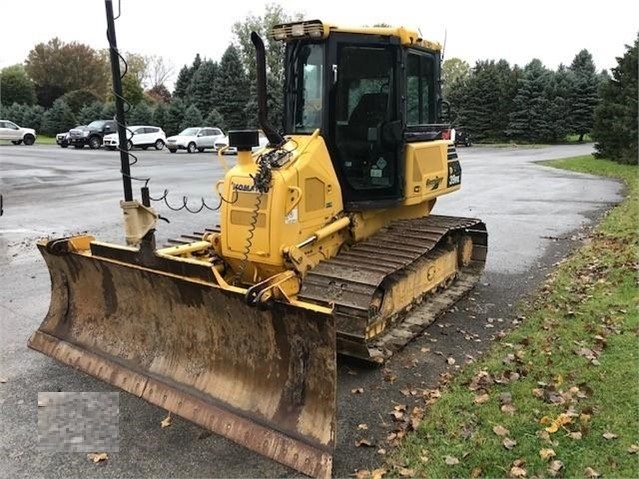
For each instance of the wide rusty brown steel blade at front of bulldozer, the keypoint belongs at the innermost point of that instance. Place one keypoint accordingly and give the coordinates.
(168, 334)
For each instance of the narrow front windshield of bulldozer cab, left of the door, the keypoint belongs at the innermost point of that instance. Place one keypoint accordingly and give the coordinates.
(305, 86)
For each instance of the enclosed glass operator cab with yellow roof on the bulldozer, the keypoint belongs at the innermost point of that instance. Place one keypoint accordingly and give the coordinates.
(369, 93)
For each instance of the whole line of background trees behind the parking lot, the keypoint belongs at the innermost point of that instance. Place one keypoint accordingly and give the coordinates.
(61, 85)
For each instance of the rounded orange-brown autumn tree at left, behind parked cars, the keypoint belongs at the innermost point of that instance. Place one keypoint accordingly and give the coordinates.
(57, 67)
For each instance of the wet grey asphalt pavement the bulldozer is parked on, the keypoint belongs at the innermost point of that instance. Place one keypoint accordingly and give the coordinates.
(535, 216)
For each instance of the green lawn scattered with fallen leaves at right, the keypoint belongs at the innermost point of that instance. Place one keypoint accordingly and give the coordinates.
(564, 383)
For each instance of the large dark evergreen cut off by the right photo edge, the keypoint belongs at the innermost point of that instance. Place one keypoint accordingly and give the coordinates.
(615, 123)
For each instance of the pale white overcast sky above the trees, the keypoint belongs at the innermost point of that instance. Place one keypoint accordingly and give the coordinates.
(517, 30)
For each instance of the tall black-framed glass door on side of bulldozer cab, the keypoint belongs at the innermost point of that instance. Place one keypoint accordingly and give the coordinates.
(365, 131)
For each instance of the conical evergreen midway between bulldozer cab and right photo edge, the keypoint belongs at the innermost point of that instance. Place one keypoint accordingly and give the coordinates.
(529, 119)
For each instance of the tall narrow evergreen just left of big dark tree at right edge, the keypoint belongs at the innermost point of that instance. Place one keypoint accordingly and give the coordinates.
(584, 97)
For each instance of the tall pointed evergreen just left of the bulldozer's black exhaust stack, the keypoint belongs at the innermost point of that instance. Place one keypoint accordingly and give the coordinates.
(231, 89)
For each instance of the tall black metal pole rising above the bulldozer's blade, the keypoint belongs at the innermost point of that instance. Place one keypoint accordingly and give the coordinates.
(119, 103)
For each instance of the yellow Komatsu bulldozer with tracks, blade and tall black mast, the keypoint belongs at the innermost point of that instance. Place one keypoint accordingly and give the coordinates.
(326, 245)
